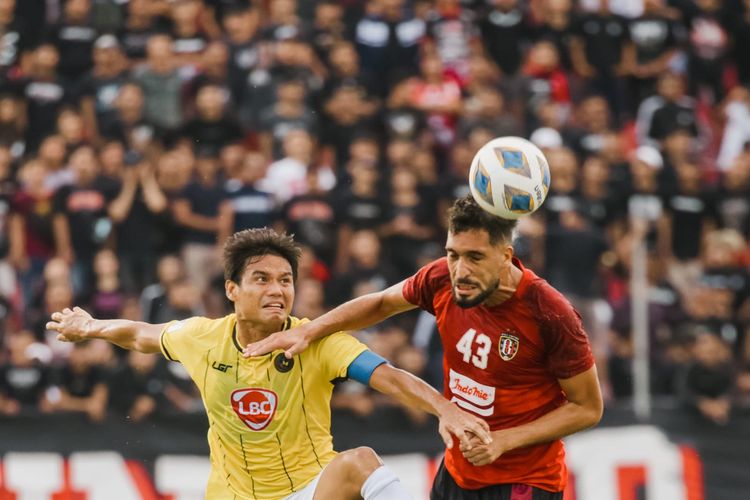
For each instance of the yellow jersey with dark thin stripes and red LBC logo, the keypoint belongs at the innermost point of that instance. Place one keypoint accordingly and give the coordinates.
(269, 418)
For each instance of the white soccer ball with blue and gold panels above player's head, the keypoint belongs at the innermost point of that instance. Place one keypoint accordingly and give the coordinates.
(509, 177)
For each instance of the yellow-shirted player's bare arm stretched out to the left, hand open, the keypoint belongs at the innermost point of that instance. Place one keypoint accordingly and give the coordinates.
(76, 325)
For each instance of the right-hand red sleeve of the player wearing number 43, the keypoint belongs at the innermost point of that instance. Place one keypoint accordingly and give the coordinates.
(566, 343)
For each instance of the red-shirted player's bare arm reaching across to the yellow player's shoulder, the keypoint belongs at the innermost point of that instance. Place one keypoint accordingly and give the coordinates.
(353, 315)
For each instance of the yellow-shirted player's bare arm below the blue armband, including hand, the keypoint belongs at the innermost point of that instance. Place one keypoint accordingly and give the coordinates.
(415, 393)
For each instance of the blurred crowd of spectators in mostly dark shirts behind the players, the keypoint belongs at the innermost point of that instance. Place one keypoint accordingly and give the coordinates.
(135, 135)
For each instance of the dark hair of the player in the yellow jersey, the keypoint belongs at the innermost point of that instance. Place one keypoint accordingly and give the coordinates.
(249, 244)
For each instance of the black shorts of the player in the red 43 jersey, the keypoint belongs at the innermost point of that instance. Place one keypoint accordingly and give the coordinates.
(445, 488)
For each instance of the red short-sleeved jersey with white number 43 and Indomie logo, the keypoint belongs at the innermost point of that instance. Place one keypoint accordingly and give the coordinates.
(502, 363)
